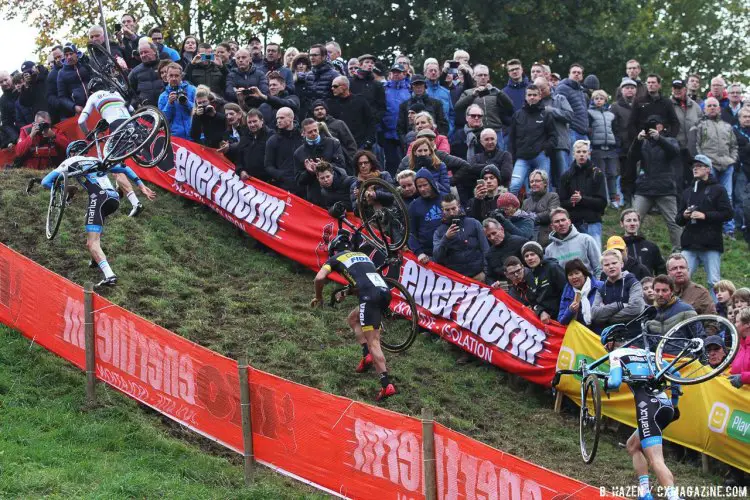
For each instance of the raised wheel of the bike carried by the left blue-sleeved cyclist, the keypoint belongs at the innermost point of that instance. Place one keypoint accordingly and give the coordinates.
(132, 135)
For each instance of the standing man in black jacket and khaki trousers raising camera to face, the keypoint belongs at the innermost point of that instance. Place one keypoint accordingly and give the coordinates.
(661, 179)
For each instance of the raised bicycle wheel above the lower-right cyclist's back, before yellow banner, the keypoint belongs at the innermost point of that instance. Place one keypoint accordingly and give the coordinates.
(685, 343)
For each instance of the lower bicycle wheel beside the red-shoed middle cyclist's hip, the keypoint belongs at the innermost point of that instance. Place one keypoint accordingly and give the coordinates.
(400, 321)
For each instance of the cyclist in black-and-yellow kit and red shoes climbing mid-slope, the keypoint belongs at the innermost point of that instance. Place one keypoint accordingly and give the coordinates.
(374, 296)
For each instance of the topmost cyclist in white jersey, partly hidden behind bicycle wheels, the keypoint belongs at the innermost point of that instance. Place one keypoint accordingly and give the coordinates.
(114, 110)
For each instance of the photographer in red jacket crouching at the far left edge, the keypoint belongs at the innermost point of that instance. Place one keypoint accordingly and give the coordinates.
(41, 146)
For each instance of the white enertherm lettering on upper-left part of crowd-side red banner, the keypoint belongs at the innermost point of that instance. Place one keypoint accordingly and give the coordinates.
(241, 201)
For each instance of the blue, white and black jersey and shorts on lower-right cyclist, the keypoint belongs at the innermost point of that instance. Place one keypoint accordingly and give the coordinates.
(653, 410)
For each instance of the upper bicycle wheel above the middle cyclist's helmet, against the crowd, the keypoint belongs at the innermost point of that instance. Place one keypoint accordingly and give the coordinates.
(386, 219)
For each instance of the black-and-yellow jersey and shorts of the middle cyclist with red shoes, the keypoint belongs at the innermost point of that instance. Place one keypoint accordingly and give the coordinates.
(361, 273)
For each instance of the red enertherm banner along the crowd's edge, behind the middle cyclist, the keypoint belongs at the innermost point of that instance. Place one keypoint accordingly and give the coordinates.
(482, 321)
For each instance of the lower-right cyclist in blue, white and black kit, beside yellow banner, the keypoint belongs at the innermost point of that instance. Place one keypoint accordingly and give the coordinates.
(654, 409)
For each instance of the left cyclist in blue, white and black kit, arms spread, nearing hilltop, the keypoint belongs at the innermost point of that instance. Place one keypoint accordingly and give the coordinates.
(103, 199)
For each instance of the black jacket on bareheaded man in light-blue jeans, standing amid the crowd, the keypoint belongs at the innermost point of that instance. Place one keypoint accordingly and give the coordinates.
(532, 132)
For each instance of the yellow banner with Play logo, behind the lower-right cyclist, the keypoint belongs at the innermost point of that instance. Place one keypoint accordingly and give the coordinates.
(714, 416)
